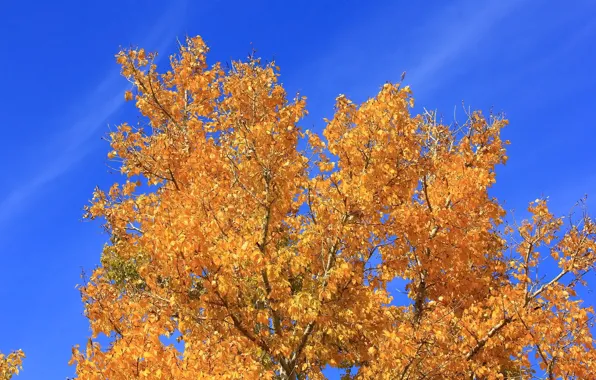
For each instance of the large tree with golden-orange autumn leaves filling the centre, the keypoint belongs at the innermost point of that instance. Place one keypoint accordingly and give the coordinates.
(234, 254)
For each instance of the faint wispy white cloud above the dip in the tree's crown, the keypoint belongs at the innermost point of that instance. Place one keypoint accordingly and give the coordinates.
(428, 49)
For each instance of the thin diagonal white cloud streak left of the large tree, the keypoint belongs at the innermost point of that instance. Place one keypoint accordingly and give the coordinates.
(102, 103)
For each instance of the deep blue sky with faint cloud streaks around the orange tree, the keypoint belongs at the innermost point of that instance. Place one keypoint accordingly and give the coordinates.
(534, 60)
